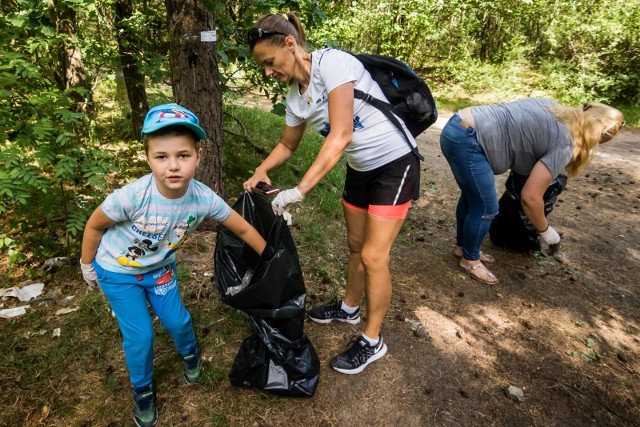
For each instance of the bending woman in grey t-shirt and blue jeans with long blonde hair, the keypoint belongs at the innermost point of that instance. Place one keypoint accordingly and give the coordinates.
(535, 137)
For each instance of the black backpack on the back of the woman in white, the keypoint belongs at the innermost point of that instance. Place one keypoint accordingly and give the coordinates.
(409, 96)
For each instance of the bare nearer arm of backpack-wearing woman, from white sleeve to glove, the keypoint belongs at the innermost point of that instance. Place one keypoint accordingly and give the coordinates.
(341, 123)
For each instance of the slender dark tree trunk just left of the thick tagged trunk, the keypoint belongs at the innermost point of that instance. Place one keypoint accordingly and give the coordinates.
(133, 79)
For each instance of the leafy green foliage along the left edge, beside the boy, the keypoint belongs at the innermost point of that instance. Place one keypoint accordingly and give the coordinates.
(50, 167)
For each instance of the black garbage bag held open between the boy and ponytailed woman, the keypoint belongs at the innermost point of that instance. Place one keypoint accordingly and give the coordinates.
(278, 357)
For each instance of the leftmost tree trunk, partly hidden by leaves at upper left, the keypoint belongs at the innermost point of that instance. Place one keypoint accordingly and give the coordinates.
(72, 73)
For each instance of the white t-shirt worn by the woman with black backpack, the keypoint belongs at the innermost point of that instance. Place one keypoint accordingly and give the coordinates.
(375, 141)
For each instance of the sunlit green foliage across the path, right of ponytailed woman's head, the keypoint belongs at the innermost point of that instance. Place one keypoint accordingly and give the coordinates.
(575, 51)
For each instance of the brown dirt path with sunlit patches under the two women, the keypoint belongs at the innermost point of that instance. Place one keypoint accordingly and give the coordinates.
(566, 333)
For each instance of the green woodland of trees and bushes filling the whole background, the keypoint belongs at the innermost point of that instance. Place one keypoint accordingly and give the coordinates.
(57, 159)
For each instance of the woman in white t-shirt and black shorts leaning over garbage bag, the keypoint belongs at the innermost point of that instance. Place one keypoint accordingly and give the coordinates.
(382, 173)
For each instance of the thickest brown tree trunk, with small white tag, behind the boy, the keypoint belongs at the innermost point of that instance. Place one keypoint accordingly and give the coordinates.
(196, 84)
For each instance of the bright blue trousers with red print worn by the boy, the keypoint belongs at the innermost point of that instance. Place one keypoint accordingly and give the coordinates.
(128, 296)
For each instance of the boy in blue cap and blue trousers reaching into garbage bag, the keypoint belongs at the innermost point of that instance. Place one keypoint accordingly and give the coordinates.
(130, 240)
